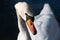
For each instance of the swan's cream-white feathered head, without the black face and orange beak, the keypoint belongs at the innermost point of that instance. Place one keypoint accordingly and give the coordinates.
(22, 8)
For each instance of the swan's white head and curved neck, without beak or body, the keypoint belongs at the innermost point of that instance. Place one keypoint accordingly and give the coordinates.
(21, 10)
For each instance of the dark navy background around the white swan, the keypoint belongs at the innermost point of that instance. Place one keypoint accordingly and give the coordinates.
(8, 20)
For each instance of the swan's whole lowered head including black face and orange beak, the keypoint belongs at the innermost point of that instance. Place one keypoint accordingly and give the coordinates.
(26, 14)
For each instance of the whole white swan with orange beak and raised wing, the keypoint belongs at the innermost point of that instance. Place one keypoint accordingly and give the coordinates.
(45, 26)
